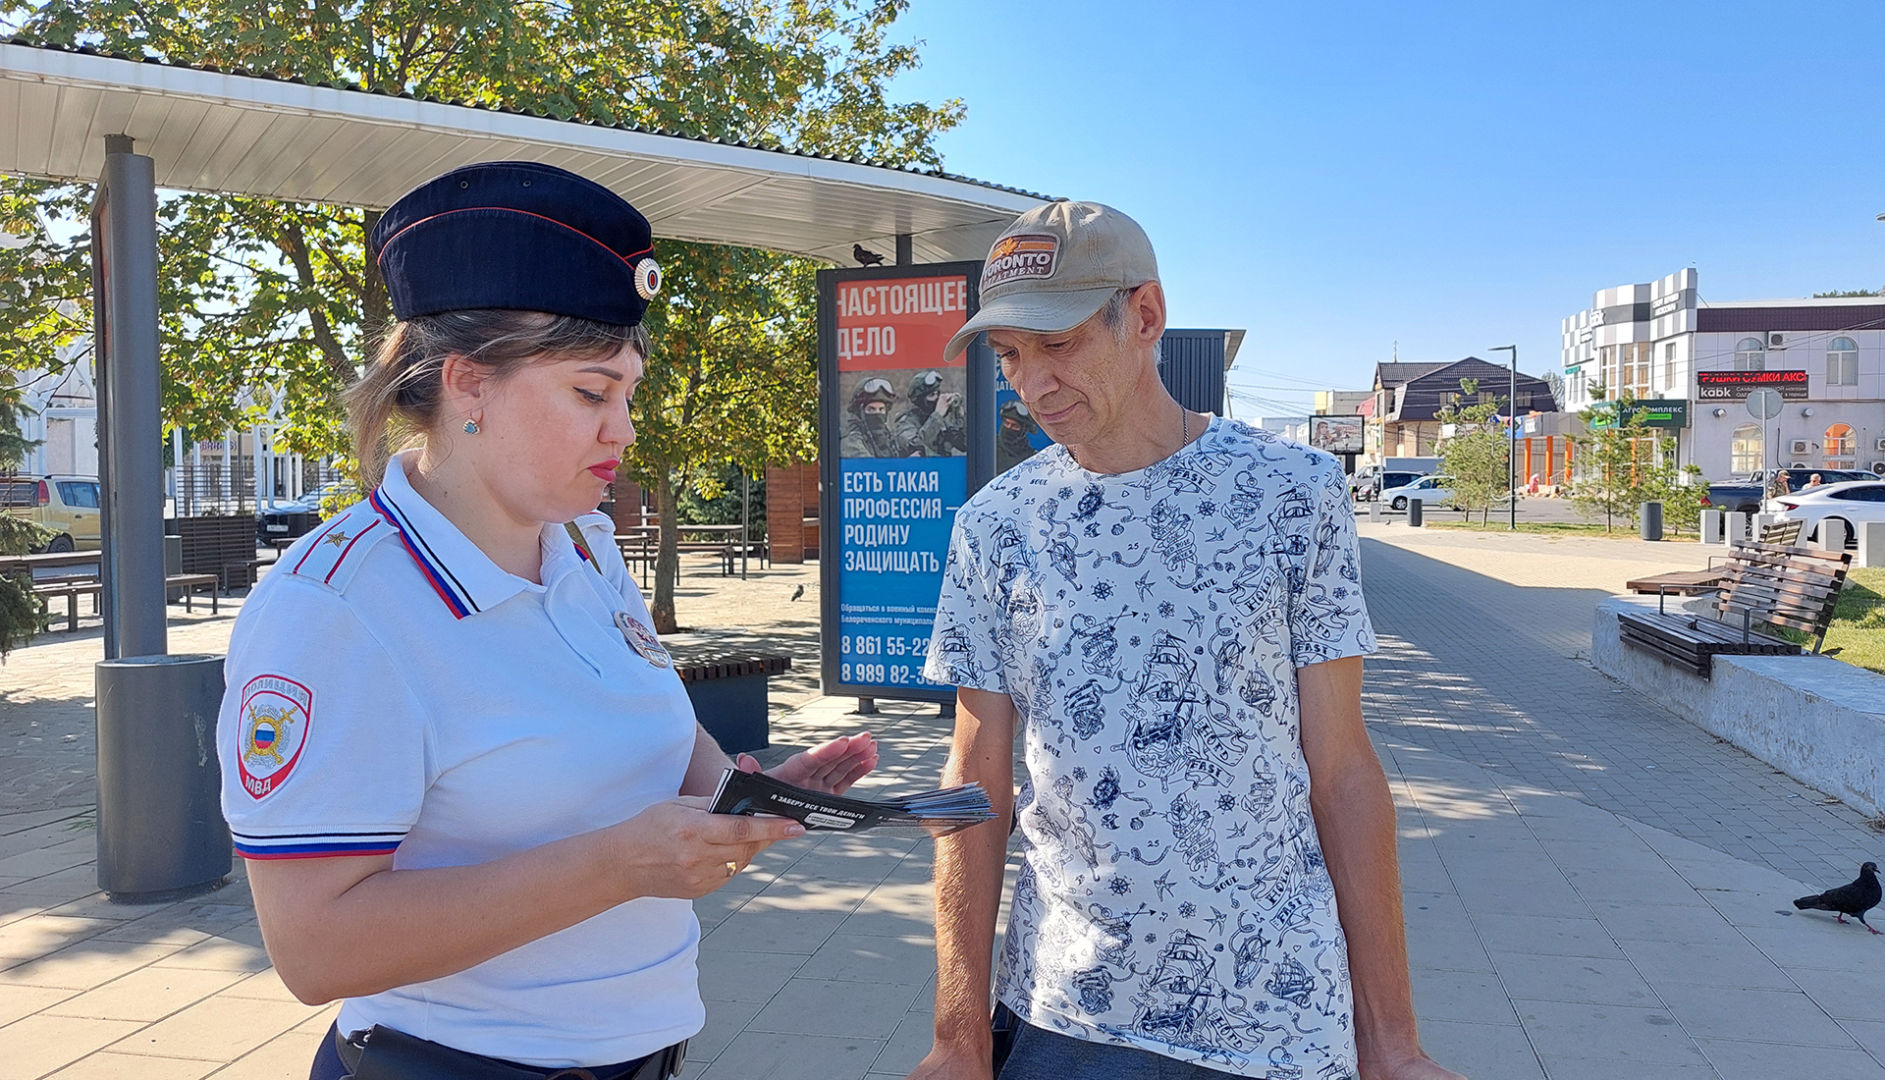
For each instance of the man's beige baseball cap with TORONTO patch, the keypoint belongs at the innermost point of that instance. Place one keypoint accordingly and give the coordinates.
(1055, 269)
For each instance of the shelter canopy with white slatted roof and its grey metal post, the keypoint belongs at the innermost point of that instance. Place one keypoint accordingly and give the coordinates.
(140, 125)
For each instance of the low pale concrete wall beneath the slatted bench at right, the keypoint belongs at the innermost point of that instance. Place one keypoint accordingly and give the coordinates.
(1812, 717)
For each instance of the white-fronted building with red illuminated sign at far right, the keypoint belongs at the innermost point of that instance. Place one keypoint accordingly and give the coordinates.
(1662, 342)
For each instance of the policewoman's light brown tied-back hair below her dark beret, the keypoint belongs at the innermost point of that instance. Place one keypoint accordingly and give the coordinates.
(397, 401)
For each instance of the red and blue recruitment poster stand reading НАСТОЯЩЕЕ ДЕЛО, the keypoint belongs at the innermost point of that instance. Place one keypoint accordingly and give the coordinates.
(900, 421)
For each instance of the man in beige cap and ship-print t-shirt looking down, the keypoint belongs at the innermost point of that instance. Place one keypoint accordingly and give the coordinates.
(1170, 610)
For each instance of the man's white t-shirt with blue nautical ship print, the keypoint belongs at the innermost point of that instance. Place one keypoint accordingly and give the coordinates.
(1149, 629)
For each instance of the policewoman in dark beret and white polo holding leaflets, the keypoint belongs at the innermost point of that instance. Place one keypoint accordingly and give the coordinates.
(455, 755)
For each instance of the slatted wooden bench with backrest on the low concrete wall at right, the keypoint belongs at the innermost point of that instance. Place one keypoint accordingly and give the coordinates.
(1763, 585)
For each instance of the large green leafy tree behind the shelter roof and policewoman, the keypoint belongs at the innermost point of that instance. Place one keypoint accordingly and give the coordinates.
(278, 299)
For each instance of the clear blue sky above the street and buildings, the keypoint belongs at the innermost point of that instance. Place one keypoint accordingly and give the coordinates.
(1337, 178)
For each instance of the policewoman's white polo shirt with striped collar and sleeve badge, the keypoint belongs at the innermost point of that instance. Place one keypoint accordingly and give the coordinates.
(395, 691)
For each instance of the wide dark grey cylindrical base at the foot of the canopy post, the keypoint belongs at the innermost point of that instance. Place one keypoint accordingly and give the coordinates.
(161, 828)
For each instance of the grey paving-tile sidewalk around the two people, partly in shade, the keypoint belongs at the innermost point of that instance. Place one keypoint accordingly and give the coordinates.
(1558, 928)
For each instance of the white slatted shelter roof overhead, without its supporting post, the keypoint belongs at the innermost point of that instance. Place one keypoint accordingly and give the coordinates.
(280, 139)
